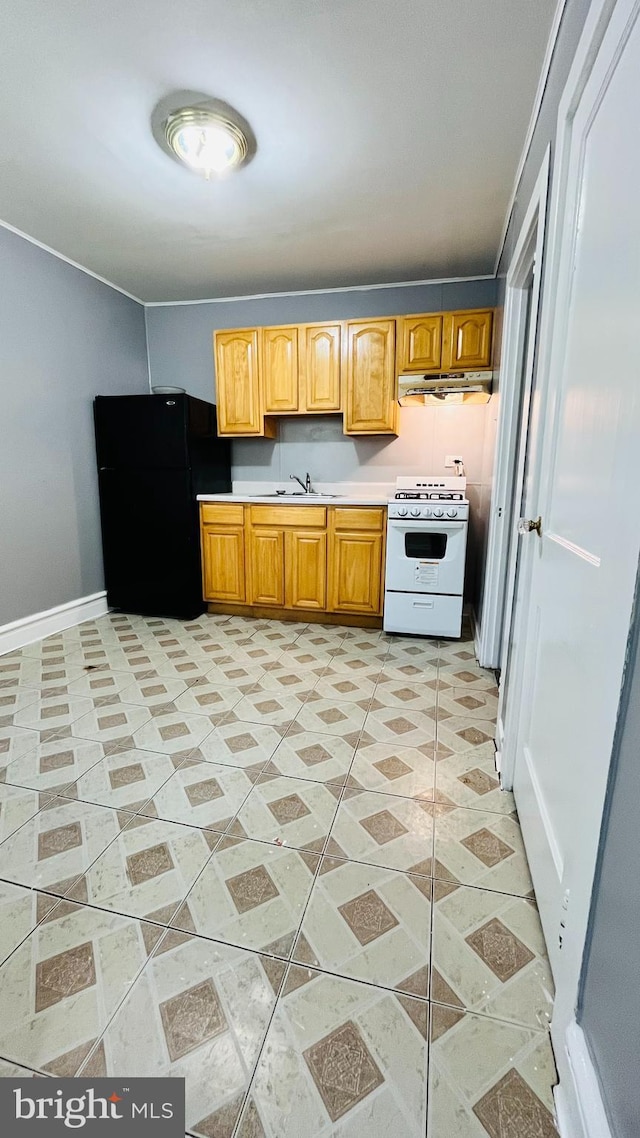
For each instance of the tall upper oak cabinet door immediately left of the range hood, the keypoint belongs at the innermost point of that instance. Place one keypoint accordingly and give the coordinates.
(372, 407)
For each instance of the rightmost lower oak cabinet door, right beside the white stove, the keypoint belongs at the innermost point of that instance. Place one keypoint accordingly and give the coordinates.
(356, 567)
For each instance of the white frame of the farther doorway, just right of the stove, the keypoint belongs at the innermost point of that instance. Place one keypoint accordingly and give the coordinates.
(516, 383)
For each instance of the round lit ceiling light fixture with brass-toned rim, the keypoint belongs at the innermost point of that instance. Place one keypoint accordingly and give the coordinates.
(206, 141)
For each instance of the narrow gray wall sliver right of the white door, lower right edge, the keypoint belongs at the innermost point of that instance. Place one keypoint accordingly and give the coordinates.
(610, 1004)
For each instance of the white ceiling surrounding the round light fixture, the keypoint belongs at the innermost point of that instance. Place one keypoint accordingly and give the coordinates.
(389, 136)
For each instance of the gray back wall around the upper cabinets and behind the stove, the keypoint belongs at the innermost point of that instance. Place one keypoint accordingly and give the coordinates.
(182, 353)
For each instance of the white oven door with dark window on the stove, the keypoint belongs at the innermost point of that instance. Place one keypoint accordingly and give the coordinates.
(426, 557)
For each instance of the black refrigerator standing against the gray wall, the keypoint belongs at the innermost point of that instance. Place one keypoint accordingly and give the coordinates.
(155, 455)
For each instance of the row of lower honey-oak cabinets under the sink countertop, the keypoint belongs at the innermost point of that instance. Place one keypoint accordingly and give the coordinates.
(311, 559)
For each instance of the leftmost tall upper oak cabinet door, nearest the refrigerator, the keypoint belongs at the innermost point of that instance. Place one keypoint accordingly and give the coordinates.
(237, 383)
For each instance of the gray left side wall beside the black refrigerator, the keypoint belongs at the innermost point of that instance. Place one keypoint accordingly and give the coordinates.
(64, 337)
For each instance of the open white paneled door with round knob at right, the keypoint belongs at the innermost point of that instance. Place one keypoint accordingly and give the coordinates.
(578, 607)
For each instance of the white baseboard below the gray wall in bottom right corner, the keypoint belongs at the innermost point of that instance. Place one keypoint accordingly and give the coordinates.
(580, 1109)
